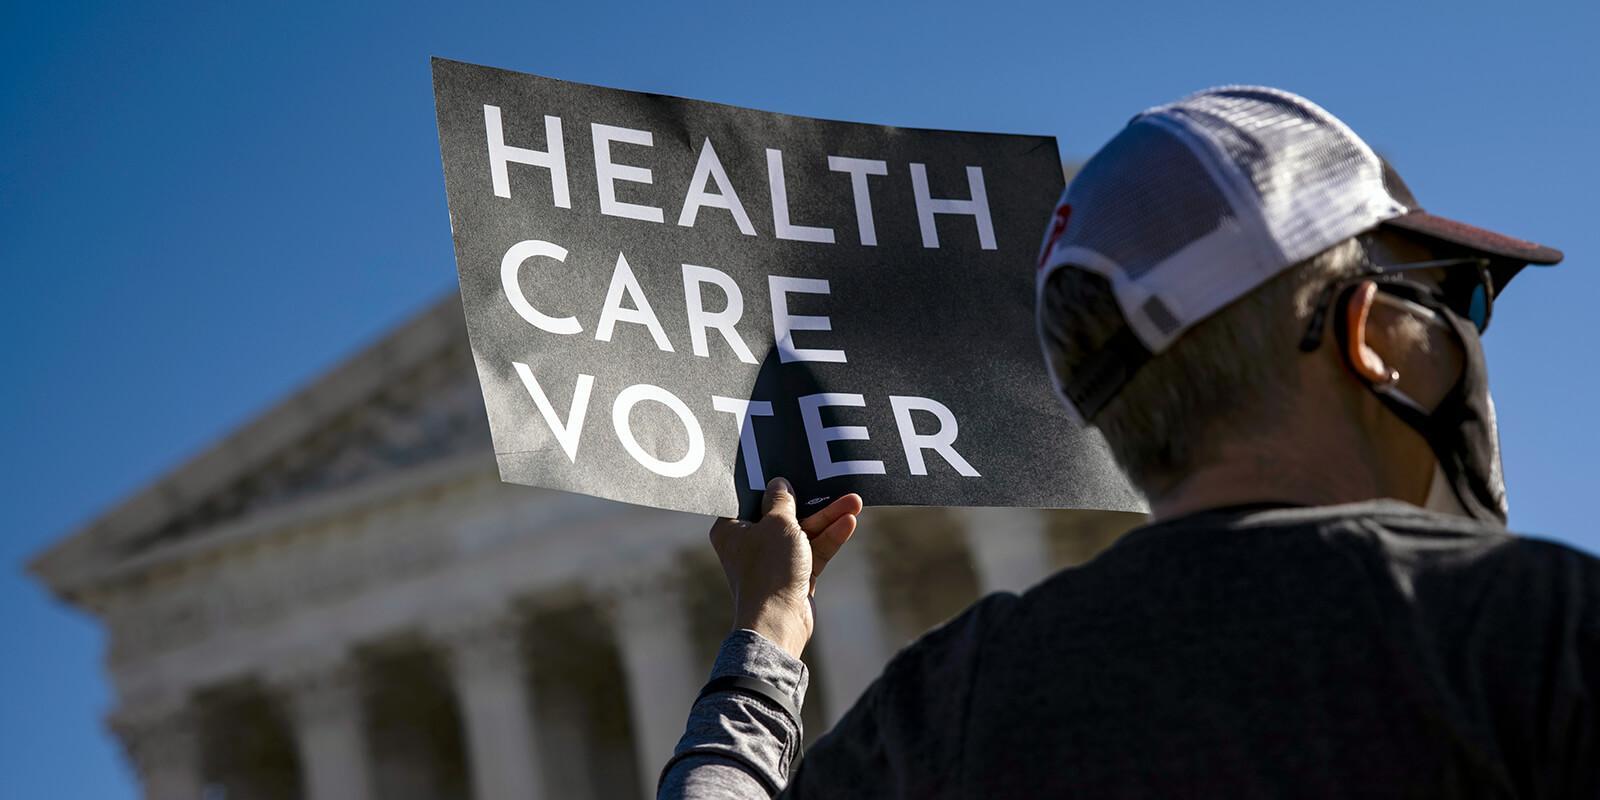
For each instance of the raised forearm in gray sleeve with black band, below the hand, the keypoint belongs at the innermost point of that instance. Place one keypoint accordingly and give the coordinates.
(735, 745)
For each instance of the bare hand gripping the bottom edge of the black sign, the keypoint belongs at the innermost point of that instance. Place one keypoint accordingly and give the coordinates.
(774, 564)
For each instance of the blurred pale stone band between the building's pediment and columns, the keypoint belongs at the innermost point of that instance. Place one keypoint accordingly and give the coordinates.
(361, 601)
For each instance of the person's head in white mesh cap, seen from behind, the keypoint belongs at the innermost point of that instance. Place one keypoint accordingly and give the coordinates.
(1198, 255)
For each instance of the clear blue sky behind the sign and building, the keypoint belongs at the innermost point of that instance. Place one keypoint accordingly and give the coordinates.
(204, 206)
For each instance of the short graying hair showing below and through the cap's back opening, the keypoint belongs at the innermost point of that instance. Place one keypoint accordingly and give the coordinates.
(1228, 377)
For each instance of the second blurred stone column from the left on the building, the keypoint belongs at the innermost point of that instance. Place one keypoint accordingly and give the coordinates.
(330, 734)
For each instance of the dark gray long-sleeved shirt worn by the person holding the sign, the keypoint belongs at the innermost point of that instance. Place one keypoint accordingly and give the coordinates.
(1367, 650)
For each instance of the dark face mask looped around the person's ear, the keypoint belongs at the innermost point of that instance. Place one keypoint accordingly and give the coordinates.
(1462, 431)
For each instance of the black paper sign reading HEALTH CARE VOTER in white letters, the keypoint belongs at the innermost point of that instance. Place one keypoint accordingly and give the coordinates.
(673, 302)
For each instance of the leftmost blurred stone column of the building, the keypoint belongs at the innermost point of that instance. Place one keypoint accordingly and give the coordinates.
(164, 745)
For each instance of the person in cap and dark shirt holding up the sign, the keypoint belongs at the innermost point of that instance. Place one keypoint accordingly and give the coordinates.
(1282, 353)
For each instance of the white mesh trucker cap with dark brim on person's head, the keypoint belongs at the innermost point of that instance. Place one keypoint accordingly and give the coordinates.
(1199, 202)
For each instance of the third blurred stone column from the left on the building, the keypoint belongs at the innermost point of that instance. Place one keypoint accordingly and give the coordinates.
(492, 687)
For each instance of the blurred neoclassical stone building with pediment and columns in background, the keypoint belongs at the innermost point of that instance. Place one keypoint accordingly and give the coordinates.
(343, 602)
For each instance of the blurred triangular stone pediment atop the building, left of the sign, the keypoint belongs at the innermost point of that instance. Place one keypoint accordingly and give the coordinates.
(401, 404)
